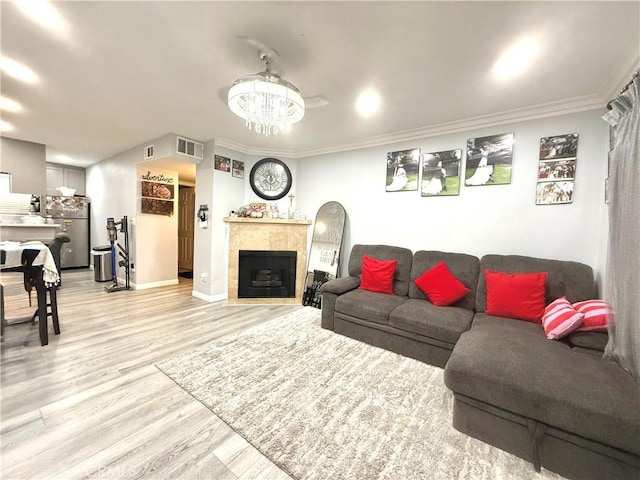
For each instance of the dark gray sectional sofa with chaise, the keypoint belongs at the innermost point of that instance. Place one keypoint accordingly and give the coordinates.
(558, 404)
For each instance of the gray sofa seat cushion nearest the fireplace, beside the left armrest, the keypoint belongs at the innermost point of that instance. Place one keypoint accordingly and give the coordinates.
(374, 307)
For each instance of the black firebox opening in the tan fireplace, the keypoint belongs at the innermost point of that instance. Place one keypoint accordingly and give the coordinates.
(266, 274)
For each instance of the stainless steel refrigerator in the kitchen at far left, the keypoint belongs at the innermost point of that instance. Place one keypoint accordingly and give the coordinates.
(72, 213)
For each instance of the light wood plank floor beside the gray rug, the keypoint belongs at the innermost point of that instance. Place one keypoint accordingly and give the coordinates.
(91, 404)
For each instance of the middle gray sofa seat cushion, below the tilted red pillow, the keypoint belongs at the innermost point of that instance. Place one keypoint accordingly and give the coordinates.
(424, 318)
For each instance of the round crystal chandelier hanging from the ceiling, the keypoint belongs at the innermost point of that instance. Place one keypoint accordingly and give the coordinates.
(268, 103)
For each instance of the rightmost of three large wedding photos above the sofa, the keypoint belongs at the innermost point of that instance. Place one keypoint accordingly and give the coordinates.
(489, 160)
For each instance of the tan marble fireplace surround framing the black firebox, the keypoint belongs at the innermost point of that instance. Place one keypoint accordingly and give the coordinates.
(266, 234)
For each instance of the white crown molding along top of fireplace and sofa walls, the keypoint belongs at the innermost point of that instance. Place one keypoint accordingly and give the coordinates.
(545, 110)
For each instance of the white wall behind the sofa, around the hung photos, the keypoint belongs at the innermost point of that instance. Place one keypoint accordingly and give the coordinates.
(499, 219)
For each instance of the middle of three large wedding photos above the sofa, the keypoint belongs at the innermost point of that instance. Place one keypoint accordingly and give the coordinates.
(441, 173)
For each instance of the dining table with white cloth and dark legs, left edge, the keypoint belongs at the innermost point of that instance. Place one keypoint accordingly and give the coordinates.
(36, 262)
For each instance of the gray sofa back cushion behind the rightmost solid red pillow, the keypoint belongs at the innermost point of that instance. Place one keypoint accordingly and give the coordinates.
(570, 279)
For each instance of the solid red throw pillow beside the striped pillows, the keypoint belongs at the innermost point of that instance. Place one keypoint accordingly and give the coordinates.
(516, 295)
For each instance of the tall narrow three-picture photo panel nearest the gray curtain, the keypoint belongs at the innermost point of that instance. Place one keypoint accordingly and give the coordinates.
(556, 169)
